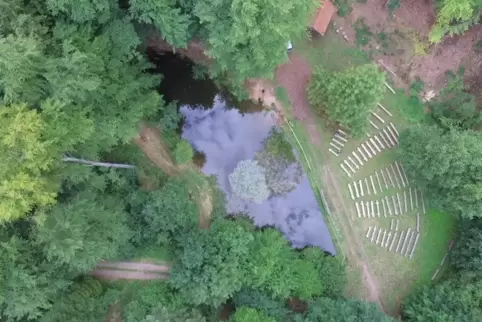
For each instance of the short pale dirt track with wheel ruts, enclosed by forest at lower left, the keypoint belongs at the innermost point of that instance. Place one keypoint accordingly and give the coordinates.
(130, 271)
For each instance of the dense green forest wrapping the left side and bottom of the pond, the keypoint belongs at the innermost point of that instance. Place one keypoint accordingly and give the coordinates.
(76, 94)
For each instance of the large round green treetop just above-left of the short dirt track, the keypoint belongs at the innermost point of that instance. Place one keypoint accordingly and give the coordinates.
(83, 231)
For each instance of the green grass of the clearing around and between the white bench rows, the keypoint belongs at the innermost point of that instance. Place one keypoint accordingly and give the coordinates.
(397, 275)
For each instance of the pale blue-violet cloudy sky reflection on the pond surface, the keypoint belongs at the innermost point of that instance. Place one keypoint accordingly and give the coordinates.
(225, 137)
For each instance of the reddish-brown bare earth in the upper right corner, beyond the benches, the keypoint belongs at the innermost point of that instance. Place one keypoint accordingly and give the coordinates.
(408, 52)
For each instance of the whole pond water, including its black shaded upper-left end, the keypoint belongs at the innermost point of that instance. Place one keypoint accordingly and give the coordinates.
(226, 135)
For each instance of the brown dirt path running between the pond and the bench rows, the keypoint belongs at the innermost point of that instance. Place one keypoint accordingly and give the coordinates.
(294, 76)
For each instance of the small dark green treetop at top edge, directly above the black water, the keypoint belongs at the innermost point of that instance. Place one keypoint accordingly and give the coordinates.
(166, 16)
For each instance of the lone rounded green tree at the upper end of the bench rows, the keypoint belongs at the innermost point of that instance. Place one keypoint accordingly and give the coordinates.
(348, 96)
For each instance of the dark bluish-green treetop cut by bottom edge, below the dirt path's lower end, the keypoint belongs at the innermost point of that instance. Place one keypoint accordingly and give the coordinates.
(329, 310)
